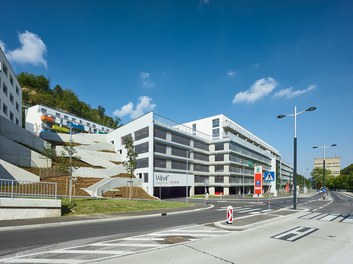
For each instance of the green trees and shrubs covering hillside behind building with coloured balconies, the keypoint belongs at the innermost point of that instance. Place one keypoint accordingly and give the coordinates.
(36, 90)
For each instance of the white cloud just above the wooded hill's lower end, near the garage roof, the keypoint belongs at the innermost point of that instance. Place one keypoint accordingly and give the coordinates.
(143, 106)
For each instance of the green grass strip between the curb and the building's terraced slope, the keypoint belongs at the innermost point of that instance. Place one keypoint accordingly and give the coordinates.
(107, 206)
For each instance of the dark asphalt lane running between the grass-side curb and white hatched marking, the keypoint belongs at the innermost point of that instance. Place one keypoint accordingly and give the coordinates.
(31, 240)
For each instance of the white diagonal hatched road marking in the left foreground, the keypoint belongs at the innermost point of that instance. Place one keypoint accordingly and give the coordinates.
(121, 246)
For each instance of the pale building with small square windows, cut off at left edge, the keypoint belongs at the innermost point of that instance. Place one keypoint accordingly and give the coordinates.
(10, 93)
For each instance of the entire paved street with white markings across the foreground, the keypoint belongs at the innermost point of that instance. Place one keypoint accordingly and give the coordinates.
(157, 234)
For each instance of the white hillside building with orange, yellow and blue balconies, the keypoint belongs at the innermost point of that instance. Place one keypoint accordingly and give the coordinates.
(41, 118)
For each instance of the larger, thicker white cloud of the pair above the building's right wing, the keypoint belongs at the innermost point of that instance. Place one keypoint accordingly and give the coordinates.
(258, 90)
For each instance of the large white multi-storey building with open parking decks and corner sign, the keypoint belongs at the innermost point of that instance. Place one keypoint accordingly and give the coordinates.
(210, 154)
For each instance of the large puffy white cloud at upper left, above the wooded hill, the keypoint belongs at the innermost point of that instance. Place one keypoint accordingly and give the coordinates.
(32, 50)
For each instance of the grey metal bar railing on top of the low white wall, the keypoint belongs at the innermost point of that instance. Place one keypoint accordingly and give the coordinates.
(13, 188)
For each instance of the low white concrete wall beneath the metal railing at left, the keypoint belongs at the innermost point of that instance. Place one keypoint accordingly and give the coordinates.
(19, 208)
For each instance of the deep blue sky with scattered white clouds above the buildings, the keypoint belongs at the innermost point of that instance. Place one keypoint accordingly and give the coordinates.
(189, 59)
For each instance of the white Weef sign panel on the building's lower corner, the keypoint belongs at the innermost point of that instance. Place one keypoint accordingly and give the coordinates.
(165, 179)
